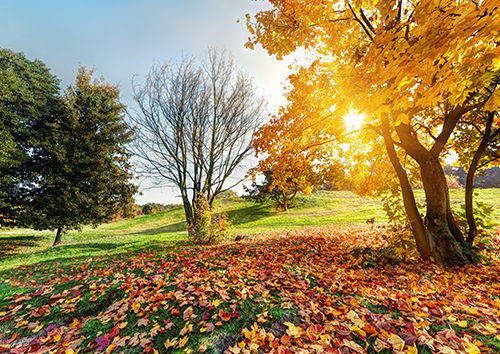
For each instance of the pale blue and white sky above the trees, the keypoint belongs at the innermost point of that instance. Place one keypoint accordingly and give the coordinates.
(122, 38)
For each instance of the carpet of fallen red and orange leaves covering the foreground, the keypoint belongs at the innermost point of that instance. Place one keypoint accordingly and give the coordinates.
(299, 291)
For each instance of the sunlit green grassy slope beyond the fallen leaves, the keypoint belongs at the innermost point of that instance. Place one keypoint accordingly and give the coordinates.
(336, 207)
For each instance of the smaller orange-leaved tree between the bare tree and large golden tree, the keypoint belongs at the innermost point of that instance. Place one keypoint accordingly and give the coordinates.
(295, 154)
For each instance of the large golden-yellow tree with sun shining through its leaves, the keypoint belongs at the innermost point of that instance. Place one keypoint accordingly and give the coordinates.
(414, 68)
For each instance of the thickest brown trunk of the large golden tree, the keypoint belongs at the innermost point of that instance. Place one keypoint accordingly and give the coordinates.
(438, 220)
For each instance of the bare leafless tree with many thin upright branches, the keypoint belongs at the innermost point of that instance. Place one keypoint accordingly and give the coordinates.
(195, 125)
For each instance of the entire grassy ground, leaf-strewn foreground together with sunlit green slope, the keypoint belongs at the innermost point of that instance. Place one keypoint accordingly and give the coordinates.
(137, 279)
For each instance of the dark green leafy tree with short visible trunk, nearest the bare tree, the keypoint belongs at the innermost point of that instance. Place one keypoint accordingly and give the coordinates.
(81, 165)
